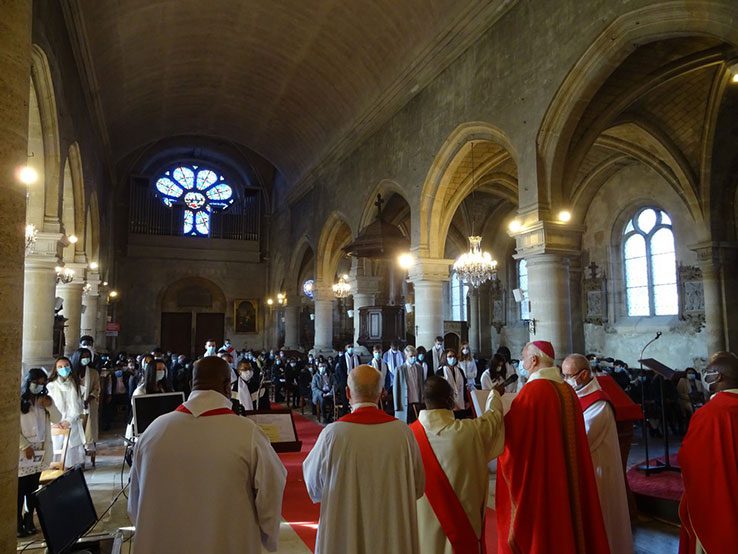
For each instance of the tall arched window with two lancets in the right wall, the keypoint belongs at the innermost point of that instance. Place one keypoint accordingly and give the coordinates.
(649, 258)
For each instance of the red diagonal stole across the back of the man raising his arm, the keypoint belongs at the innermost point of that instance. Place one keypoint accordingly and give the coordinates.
(442, 498)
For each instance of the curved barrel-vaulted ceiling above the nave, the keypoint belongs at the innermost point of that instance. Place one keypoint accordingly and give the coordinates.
(294, 80)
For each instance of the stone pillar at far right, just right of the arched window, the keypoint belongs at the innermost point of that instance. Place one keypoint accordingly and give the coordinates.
(708, 259)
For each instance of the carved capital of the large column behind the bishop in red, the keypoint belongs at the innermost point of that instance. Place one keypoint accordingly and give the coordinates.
(547, 237)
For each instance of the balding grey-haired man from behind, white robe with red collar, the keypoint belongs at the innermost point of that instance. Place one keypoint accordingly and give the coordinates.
(367, 474)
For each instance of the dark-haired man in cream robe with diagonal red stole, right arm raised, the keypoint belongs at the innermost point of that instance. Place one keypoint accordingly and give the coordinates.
(460, 450)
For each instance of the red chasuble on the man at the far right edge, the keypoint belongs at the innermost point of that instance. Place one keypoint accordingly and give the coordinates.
(709, 462)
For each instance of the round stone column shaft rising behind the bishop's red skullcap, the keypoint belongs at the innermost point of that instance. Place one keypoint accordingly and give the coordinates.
(550, 305)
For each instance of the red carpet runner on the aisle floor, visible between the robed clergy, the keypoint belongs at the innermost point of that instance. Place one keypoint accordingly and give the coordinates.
(300, 512)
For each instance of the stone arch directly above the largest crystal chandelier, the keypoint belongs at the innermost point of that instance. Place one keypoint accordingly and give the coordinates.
(451, 179)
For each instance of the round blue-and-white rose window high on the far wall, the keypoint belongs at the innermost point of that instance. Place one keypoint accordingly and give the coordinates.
(200, 190)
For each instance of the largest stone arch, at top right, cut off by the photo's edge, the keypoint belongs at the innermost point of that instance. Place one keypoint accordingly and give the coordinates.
(621, 38)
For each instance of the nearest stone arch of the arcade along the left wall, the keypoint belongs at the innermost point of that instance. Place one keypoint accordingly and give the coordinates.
(46, 99)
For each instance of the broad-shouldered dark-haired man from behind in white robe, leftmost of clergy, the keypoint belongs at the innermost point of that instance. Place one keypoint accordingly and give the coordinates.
(205, 480)
